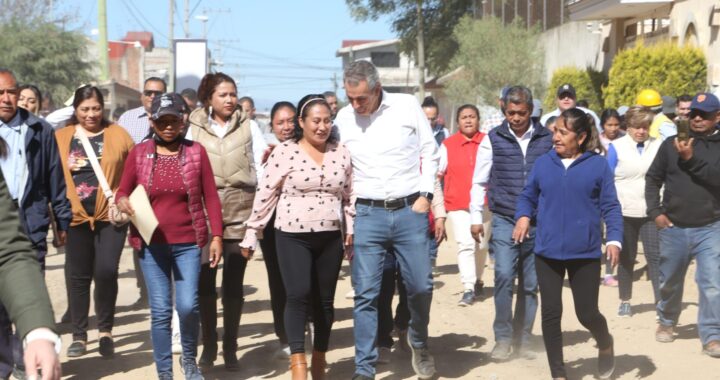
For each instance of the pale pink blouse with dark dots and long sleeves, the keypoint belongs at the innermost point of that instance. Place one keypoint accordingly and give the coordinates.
(308, 197)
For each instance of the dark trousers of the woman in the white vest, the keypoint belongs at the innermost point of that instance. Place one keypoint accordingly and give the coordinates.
(645, 230)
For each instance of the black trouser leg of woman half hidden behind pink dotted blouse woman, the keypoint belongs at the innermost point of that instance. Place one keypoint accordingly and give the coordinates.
(277, 289)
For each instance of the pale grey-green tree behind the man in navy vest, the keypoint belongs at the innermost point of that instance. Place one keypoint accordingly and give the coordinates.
(492, 55)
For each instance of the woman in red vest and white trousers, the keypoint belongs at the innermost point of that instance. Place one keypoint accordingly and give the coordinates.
(457, 164)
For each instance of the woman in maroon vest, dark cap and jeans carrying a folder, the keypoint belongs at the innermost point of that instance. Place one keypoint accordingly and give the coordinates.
(178, 179)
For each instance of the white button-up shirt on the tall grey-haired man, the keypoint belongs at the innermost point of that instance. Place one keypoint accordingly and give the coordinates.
(389, 147)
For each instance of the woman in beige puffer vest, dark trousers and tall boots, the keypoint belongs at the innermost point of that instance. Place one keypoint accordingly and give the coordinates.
(235, 148)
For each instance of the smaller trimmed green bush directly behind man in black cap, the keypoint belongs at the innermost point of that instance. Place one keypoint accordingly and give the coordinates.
(587, 83)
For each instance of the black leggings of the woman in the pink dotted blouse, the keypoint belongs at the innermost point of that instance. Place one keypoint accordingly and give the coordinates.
(310, 265)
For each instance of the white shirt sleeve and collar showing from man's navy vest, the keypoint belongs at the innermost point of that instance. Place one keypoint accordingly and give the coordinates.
(481, 176)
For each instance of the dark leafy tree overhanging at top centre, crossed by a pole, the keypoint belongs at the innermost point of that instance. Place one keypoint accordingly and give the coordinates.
(439, 19)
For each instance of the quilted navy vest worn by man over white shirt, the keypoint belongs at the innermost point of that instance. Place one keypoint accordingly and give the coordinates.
(510, 169)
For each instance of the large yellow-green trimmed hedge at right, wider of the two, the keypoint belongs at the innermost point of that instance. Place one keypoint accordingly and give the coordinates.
(667, 68)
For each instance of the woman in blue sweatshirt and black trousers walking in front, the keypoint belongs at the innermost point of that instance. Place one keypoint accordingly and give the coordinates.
(569, 190)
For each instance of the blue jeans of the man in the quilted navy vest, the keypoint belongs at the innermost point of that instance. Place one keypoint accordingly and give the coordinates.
(513, 261)
